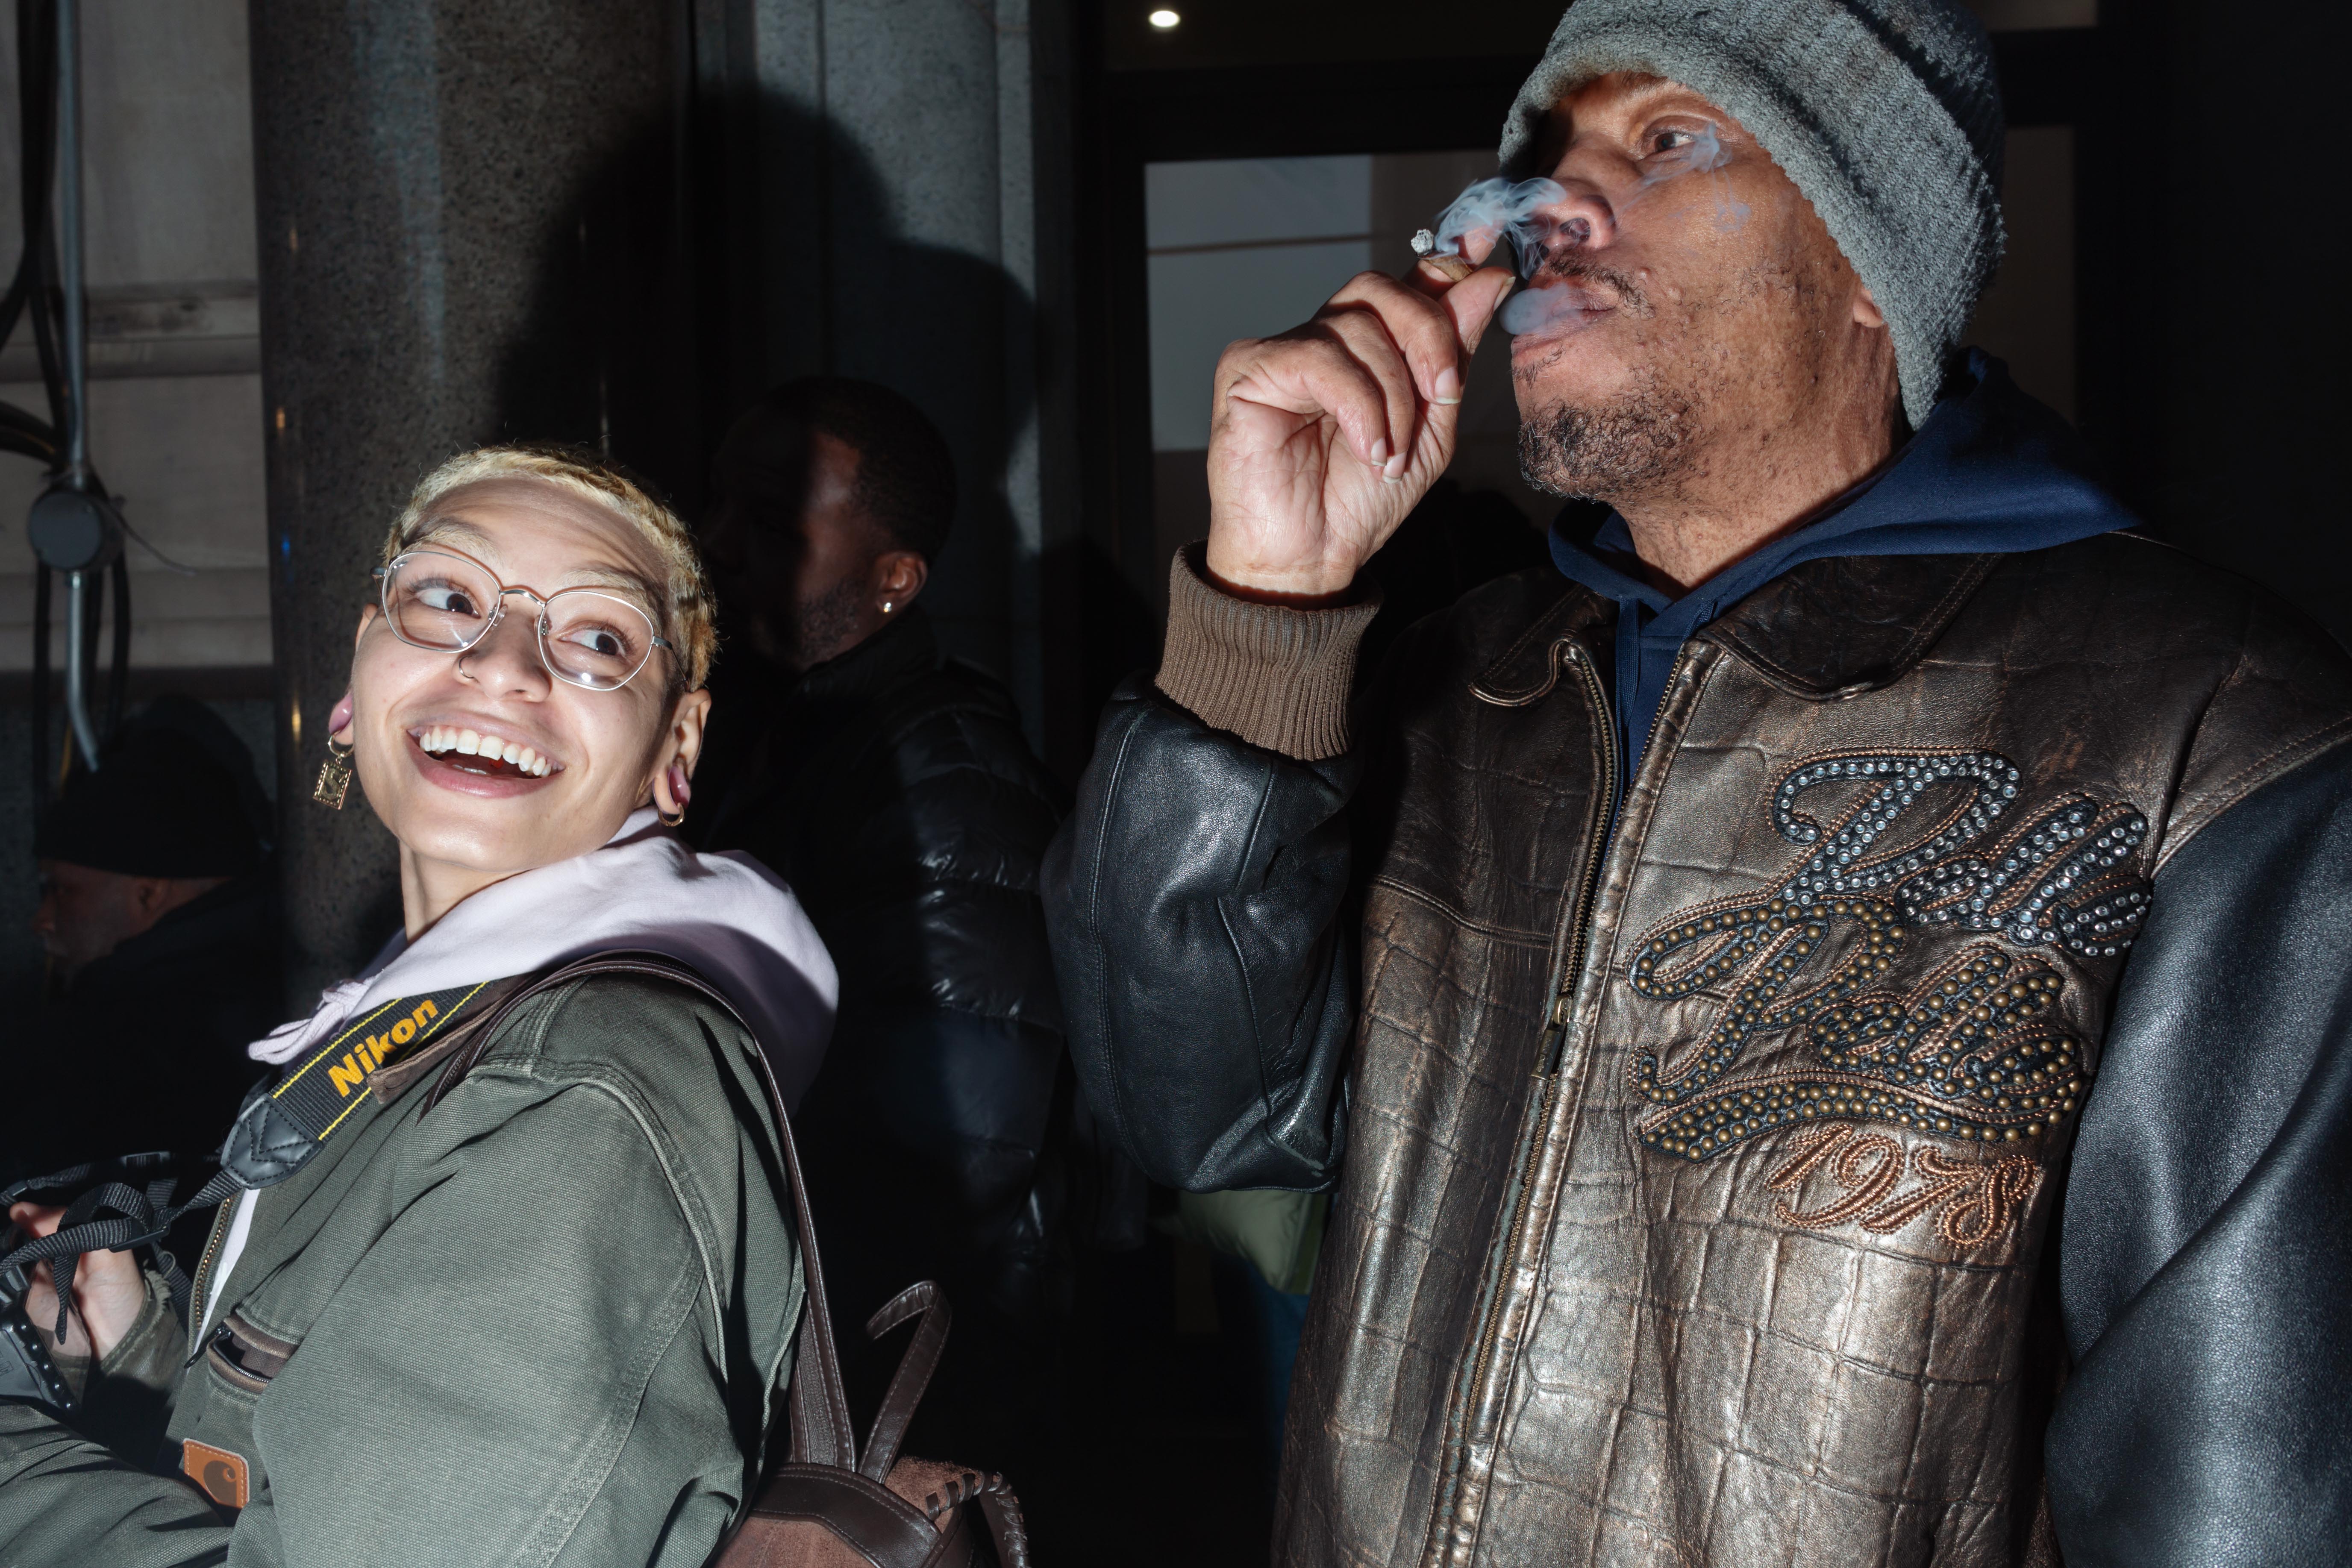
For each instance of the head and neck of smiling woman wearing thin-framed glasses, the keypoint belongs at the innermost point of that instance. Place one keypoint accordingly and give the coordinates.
(599, 681)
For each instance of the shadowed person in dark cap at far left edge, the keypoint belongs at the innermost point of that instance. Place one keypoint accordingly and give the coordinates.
(161, 923)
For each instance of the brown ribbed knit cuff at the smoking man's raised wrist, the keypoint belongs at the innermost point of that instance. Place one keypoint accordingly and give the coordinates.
(1269, 674)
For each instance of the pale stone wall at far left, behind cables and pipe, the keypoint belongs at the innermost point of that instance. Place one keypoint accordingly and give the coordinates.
(175, 401)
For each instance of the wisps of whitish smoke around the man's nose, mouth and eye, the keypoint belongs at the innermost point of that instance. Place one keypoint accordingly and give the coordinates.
(1542, 239)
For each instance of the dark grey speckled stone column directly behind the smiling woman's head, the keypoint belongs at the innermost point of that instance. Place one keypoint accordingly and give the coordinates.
(472, 229)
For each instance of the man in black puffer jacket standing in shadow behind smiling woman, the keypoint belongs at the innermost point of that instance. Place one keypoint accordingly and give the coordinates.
(895, 791)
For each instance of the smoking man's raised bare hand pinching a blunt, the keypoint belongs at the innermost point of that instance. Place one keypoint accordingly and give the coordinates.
(1323, 438)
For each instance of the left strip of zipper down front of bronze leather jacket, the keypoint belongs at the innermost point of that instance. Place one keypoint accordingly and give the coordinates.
(1556, 1038)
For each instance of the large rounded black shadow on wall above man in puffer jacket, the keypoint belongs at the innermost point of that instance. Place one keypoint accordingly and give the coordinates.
(669, 295)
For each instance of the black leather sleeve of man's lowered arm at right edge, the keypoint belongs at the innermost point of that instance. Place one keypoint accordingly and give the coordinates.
(2207, 1238)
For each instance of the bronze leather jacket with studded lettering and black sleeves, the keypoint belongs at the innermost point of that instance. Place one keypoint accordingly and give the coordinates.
(1699, 1148)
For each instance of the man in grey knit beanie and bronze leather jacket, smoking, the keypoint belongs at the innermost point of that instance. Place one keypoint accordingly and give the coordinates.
(1709, 970)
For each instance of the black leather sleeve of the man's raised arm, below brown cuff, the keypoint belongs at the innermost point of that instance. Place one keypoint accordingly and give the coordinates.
(1201, 920)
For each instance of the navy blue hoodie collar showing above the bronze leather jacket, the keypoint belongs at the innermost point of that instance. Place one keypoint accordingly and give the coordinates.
(1989, 471)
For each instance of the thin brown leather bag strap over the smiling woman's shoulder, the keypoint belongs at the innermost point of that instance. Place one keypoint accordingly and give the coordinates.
(817, 1405)
